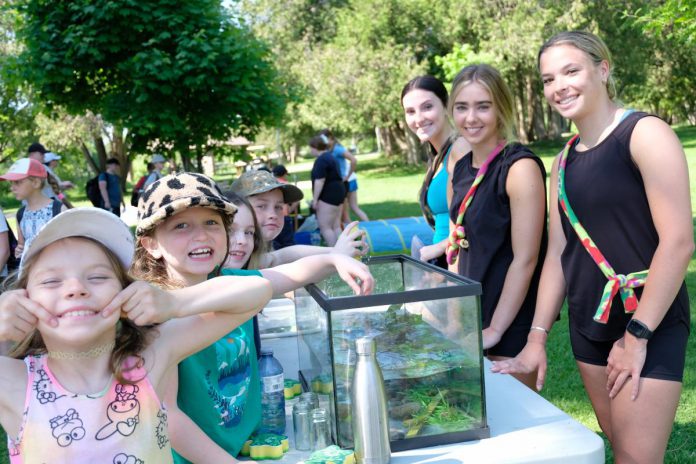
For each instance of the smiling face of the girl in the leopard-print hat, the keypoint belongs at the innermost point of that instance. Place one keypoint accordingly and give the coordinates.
(191, 243)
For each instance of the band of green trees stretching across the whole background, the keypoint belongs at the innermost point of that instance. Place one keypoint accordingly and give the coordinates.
(124, 78)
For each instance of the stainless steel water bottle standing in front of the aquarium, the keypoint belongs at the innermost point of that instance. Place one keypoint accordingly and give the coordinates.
(369, 406)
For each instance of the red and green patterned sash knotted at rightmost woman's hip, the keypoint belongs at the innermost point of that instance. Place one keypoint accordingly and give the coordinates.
(624, 284)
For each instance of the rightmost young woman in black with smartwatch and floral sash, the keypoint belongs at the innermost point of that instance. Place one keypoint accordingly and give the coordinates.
(621, 211)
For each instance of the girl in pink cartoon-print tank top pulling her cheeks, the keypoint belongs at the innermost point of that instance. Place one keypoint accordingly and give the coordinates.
(90, 381)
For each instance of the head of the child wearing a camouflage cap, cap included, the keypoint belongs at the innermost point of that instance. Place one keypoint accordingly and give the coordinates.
(268, 196)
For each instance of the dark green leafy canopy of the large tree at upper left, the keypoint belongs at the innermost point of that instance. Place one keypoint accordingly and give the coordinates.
(175, 74)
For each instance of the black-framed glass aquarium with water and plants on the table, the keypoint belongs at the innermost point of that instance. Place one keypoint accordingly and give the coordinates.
(426, 324)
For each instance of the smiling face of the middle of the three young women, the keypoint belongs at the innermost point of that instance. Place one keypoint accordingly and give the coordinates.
(475, 115)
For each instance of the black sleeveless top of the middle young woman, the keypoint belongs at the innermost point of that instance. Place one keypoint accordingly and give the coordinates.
(488, 229)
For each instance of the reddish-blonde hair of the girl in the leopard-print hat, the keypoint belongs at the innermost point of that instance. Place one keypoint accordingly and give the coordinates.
(154, 270)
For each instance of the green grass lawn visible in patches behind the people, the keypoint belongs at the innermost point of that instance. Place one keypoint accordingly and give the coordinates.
(387, 190)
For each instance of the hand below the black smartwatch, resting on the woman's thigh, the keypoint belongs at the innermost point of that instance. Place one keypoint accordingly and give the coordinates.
(625, 361)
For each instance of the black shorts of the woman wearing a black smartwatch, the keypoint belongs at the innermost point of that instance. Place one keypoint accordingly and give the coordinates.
(664, 360)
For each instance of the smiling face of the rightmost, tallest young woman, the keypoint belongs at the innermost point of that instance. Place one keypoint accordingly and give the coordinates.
(573, 84)
